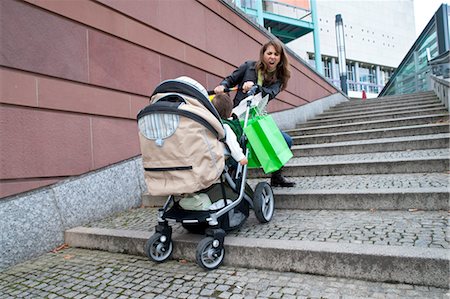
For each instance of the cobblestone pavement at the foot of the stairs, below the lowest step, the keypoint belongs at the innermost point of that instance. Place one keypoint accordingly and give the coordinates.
(80, 273)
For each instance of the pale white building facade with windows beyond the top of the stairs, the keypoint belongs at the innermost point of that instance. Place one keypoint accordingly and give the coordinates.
(377, 36)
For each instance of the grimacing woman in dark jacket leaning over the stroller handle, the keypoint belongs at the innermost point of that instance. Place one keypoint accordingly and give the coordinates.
(271, 74)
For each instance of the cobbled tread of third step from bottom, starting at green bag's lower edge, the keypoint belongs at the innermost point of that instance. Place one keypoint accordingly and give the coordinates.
(377, 157)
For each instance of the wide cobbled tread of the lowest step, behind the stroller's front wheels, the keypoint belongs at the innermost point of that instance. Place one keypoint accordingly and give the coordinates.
(396, 228)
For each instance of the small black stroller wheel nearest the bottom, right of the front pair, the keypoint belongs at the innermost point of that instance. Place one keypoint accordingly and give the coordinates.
(208, 256)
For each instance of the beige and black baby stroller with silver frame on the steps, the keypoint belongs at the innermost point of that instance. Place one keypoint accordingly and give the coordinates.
(181, 137)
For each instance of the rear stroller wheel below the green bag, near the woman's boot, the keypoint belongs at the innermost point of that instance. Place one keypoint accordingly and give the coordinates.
(263, 202)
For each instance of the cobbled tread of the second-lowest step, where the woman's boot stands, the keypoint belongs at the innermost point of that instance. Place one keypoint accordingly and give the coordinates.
(391, 182)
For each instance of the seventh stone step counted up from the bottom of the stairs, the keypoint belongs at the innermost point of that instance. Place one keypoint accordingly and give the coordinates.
(368, 114)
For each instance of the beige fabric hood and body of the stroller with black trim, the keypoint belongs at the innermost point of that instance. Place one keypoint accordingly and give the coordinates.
(179, 134)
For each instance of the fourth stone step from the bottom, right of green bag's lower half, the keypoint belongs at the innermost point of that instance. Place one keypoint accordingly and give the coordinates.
(407, 143)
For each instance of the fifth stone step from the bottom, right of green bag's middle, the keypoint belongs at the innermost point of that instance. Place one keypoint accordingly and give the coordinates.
(415, 130)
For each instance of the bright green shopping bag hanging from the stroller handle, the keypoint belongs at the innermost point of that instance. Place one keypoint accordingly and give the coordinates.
(267, 143)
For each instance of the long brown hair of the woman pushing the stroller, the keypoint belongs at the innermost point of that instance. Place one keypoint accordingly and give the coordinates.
(283, 74)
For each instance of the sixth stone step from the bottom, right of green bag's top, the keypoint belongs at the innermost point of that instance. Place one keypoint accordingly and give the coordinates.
(367, 125)
